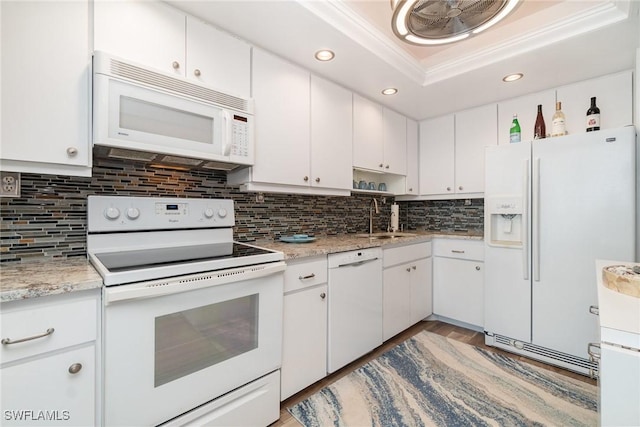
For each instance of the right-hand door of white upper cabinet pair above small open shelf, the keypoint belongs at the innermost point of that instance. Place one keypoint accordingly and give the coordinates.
(394, 142)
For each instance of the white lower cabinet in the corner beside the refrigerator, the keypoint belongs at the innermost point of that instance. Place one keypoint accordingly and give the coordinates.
(458, 280)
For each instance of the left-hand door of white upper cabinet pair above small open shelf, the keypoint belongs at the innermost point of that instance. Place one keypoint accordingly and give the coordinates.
(367, 134)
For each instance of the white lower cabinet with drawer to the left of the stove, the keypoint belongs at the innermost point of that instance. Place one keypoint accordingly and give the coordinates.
(48, 362)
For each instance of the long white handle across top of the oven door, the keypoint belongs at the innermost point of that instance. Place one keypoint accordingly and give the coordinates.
(191, 282)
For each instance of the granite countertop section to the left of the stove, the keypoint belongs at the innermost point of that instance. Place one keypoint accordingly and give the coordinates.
(42, 278)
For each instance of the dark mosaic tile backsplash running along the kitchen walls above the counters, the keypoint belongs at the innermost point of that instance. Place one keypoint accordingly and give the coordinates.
(49, 219)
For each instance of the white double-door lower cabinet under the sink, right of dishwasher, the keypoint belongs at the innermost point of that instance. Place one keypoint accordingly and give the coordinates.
(406, 287)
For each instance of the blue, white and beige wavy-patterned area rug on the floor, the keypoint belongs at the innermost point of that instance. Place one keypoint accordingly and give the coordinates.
(430, 380)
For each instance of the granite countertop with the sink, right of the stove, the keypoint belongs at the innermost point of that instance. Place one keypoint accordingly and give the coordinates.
(332, 244)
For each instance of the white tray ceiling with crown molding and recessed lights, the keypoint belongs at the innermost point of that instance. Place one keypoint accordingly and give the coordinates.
(551, 42)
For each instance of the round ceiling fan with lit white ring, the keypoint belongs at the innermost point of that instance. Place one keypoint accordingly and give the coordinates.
(431, 22)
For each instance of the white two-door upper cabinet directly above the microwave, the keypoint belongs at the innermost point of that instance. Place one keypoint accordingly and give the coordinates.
(164, 38)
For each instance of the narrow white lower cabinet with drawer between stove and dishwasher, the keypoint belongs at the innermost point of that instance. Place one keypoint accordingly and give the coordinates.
(304, 350)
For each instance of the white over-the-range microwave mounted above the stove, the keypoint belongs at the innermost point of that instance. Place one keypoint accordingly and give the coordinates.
(147, 115)
